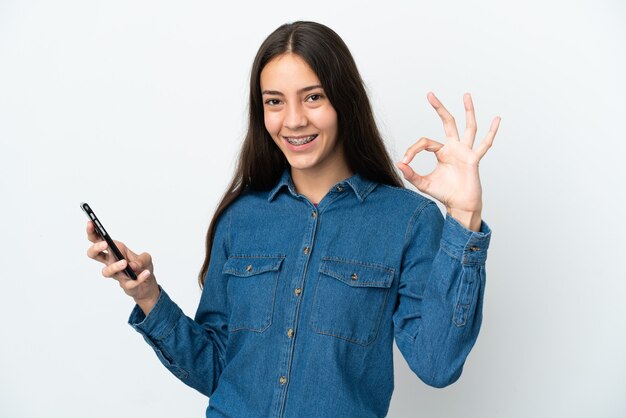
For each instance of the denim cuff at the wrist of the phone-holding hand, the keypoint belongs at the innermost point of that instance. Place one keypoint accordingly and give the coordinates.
(160, 321)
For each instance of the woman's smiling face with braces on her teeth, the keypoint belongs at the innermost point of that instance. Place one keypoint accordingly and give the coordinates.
(299, 116)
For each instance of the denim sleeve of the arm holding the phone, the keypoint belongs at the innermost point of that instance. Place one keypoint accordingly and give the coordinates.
(192, 349)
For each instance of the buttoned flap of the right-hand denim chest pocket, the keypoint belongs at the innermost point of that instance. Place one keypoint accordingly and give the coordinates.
(357, 273)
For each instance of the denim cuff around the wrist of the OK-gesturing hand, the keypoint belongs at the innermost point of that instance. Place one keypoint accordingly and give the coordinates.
(470, 247)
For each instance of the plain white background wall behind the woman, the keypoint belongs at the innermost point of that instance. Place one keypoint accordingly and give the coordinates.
(138, 107)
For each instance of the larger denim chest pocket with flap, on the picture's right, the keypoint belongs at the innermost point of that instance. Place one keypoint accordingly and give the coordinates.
(350, 298)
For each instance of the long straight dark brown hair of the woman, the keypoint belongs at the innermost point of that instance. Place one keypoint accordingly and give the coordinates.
(261, 163)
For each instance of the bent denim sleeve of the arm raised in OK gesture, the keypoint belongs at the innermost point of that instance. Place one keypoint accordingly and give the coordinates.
(440, 297)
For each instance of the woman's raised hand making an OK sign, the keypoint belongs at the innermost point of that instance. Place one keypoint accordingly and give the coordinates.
(454, 181)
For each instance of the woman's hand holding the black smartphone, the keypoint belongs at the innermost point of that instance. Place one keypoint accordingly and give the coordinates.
(145, 290)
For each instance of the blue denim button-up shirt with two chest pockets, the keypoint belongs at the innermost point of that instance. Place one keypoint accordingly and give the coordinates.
(301, 304)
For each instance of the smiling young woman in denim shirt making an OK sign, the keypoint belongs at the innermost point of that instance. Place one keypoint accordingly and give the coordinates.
(318, 257)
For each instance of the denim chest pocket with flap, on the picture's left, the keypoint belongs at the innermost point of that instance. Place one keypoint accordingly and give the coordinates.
(251, 291)
